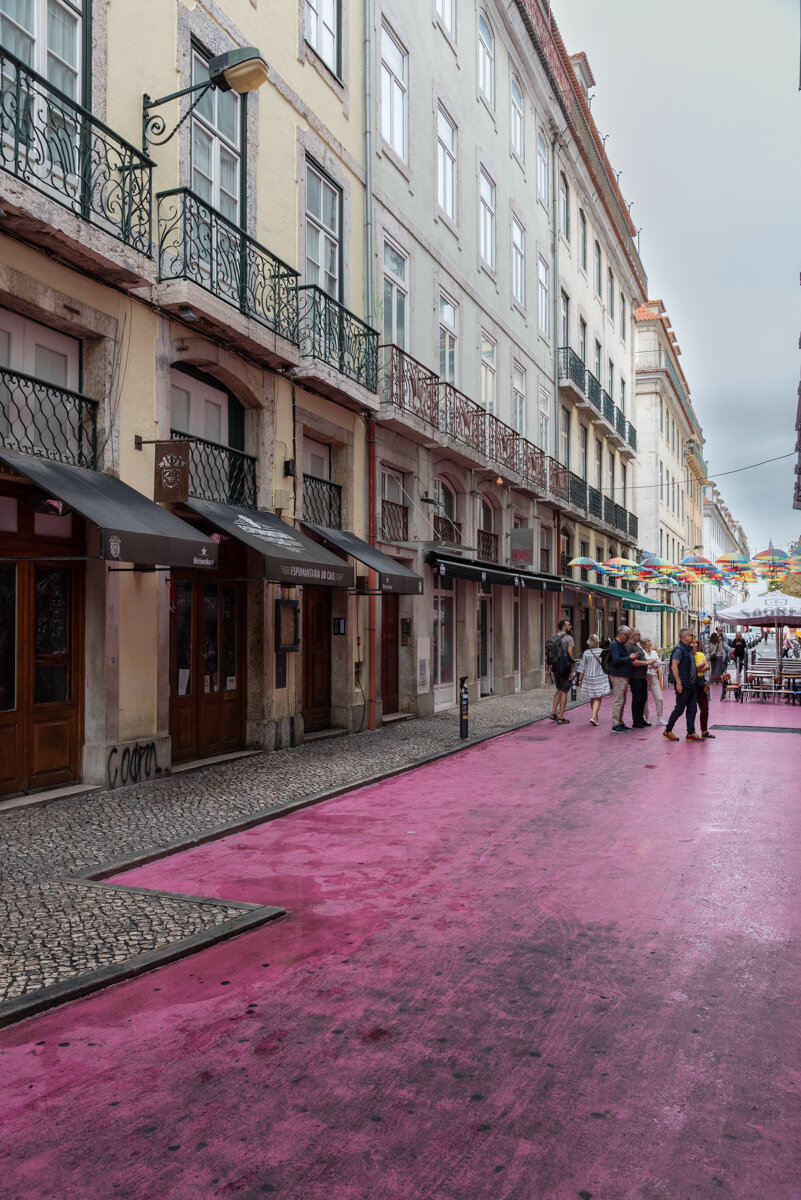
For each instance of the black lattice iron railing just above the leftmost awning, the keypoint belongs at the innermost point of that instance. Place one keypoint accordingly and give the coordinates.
(52, 423)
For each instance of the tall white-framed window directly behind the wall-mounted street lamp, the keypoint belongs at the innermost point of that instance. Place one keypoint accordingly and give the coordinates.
(216, 133)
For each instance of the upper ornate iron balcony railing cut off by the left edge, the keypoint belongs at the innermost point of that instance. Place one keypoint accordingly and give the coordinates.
(58, 147)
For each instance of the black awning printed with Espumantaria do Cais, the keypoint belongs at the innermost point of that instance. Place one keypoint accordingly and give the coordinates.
(290, 557)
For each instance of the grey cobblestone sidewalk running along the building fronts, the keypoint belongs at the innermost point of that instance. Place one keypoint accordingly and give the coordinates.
(57, 929)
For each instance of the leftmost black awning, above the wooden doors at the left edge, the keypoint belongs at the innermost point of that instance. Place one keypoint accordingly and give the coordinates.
(134, 530)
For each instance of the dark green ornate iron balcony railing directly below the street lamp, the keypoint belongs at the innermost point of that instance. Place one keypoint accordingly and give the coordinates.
(197, 243)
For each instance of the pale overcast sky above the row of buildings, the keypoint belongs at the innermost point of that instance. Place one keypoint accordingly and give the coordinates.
(701, 101)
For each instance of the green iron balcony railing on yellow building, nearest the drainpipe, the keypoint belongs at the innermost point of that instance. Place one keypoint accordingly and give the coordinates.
(334, 335)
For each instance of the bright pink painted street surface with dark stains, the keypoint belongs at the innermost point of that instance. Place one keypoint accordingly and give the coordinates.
(563, 964)
